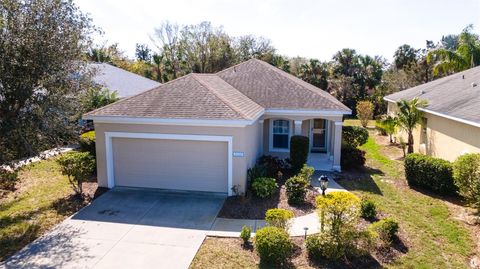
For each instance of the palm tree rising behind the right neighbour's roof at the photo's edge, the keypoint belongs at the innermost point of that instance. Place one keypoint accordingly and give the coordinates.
(465, 55)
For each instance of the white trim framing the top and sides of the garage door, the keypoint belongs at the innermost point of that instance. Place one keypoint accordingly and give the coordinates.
(109, 149)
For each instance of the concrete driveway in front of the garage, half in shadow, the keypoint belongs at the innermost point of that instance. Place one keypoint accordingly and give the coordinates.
(126, 229)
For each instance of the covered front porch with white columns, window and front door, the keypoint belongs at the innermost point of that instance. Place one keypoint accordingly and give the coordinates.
(324, 133)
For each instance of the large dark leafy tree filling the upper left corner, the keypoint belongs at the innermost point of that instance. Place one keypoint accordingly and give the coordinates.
(42, 44)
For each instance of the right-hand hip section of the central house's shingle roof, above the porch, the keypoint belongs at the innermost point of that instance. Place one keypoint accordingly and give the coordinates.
(273, 88)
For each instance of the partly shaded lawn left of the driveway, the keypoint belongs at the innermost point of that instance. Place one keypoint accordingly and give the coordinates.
(43, 198)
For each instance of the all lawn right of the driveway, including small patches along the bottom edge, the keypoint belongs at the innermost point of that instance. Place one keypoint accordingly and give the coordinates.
(432, 238)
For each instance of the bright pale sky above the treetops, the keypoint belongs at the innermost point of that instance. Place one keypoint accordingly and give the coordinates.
(308, 28)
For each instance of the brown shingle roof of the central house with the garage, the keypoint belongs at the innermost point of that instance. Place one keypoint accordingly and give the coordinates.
(242, 92)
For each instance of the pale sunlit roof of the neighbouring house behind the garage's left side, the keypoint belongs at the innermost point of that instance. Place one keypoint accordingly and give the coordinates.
(125, 83)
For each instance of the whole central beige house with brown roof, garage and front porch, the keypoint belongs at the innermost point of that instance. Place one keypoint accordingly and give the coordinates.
(201, 132)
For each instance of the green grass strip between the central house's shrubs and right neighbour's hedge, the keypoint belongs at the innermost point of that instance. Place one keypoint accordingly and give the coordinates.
(434, 239)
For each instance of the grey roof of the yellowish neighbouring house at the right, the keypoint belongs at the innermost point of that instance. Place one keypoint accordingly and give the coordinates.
(456, 97)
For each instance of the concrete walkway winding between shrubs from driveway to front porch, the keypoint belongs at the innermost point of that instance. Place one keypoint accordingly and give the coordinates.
(223, 227)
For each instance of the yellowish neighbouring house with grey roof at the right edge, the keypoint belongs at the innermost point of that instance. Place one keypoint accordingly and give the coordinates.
(451, 123)
